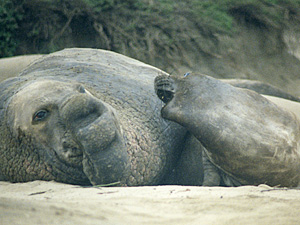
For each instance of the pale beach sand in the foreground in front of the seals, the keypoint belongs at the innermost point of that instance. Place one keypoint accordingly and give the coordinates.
(41, 202)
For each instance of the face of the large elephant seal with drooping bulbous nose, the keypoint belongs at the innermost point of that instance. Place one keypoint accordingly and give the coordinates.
(75, 135)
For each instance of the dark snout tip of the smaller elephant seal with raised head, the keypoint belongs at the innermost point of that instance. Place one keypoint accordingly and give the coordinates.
(164, 88)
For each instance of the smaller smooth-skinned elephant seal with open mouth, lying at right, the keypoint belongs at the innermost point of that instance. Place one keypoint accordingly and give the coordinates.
(245, 135)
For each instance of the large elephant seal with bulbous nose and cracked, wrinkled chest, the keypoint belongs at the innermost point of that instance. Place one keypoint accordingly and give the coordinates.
(86, 116)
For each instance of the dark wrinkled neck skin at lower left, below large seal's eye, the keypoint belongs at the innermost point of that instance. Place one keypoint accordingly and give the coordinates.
(32, 161)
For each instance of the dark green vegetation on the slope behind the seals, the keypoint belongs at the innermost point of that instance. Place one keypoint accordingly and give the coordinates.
(139, 28)
